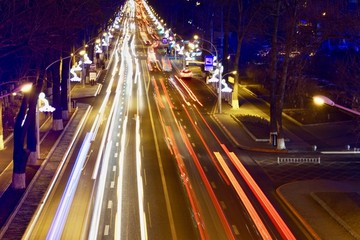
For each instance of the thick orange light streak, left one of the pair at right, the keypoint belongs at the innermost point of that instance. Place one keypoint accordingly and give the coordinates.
(249, 207)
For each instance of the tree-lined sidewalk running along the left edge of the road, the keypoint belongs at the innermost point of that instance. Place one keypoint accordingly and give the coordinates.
(38, 177)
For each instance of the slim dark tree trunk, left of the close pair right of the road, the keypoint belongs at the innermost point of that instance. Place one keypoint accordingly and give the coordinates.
(273, 77)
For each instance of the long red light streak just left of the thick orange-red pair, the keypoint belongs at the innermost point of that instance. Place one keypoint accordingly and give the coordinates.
(207, 185)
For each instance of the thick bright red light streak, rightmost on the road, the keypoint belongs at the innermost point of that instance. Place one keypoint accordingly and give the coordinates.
(264, 201)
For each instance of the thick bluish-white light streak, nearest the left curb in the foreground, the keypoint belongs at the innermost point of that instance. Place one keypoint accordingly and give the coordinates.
(62, 211)
